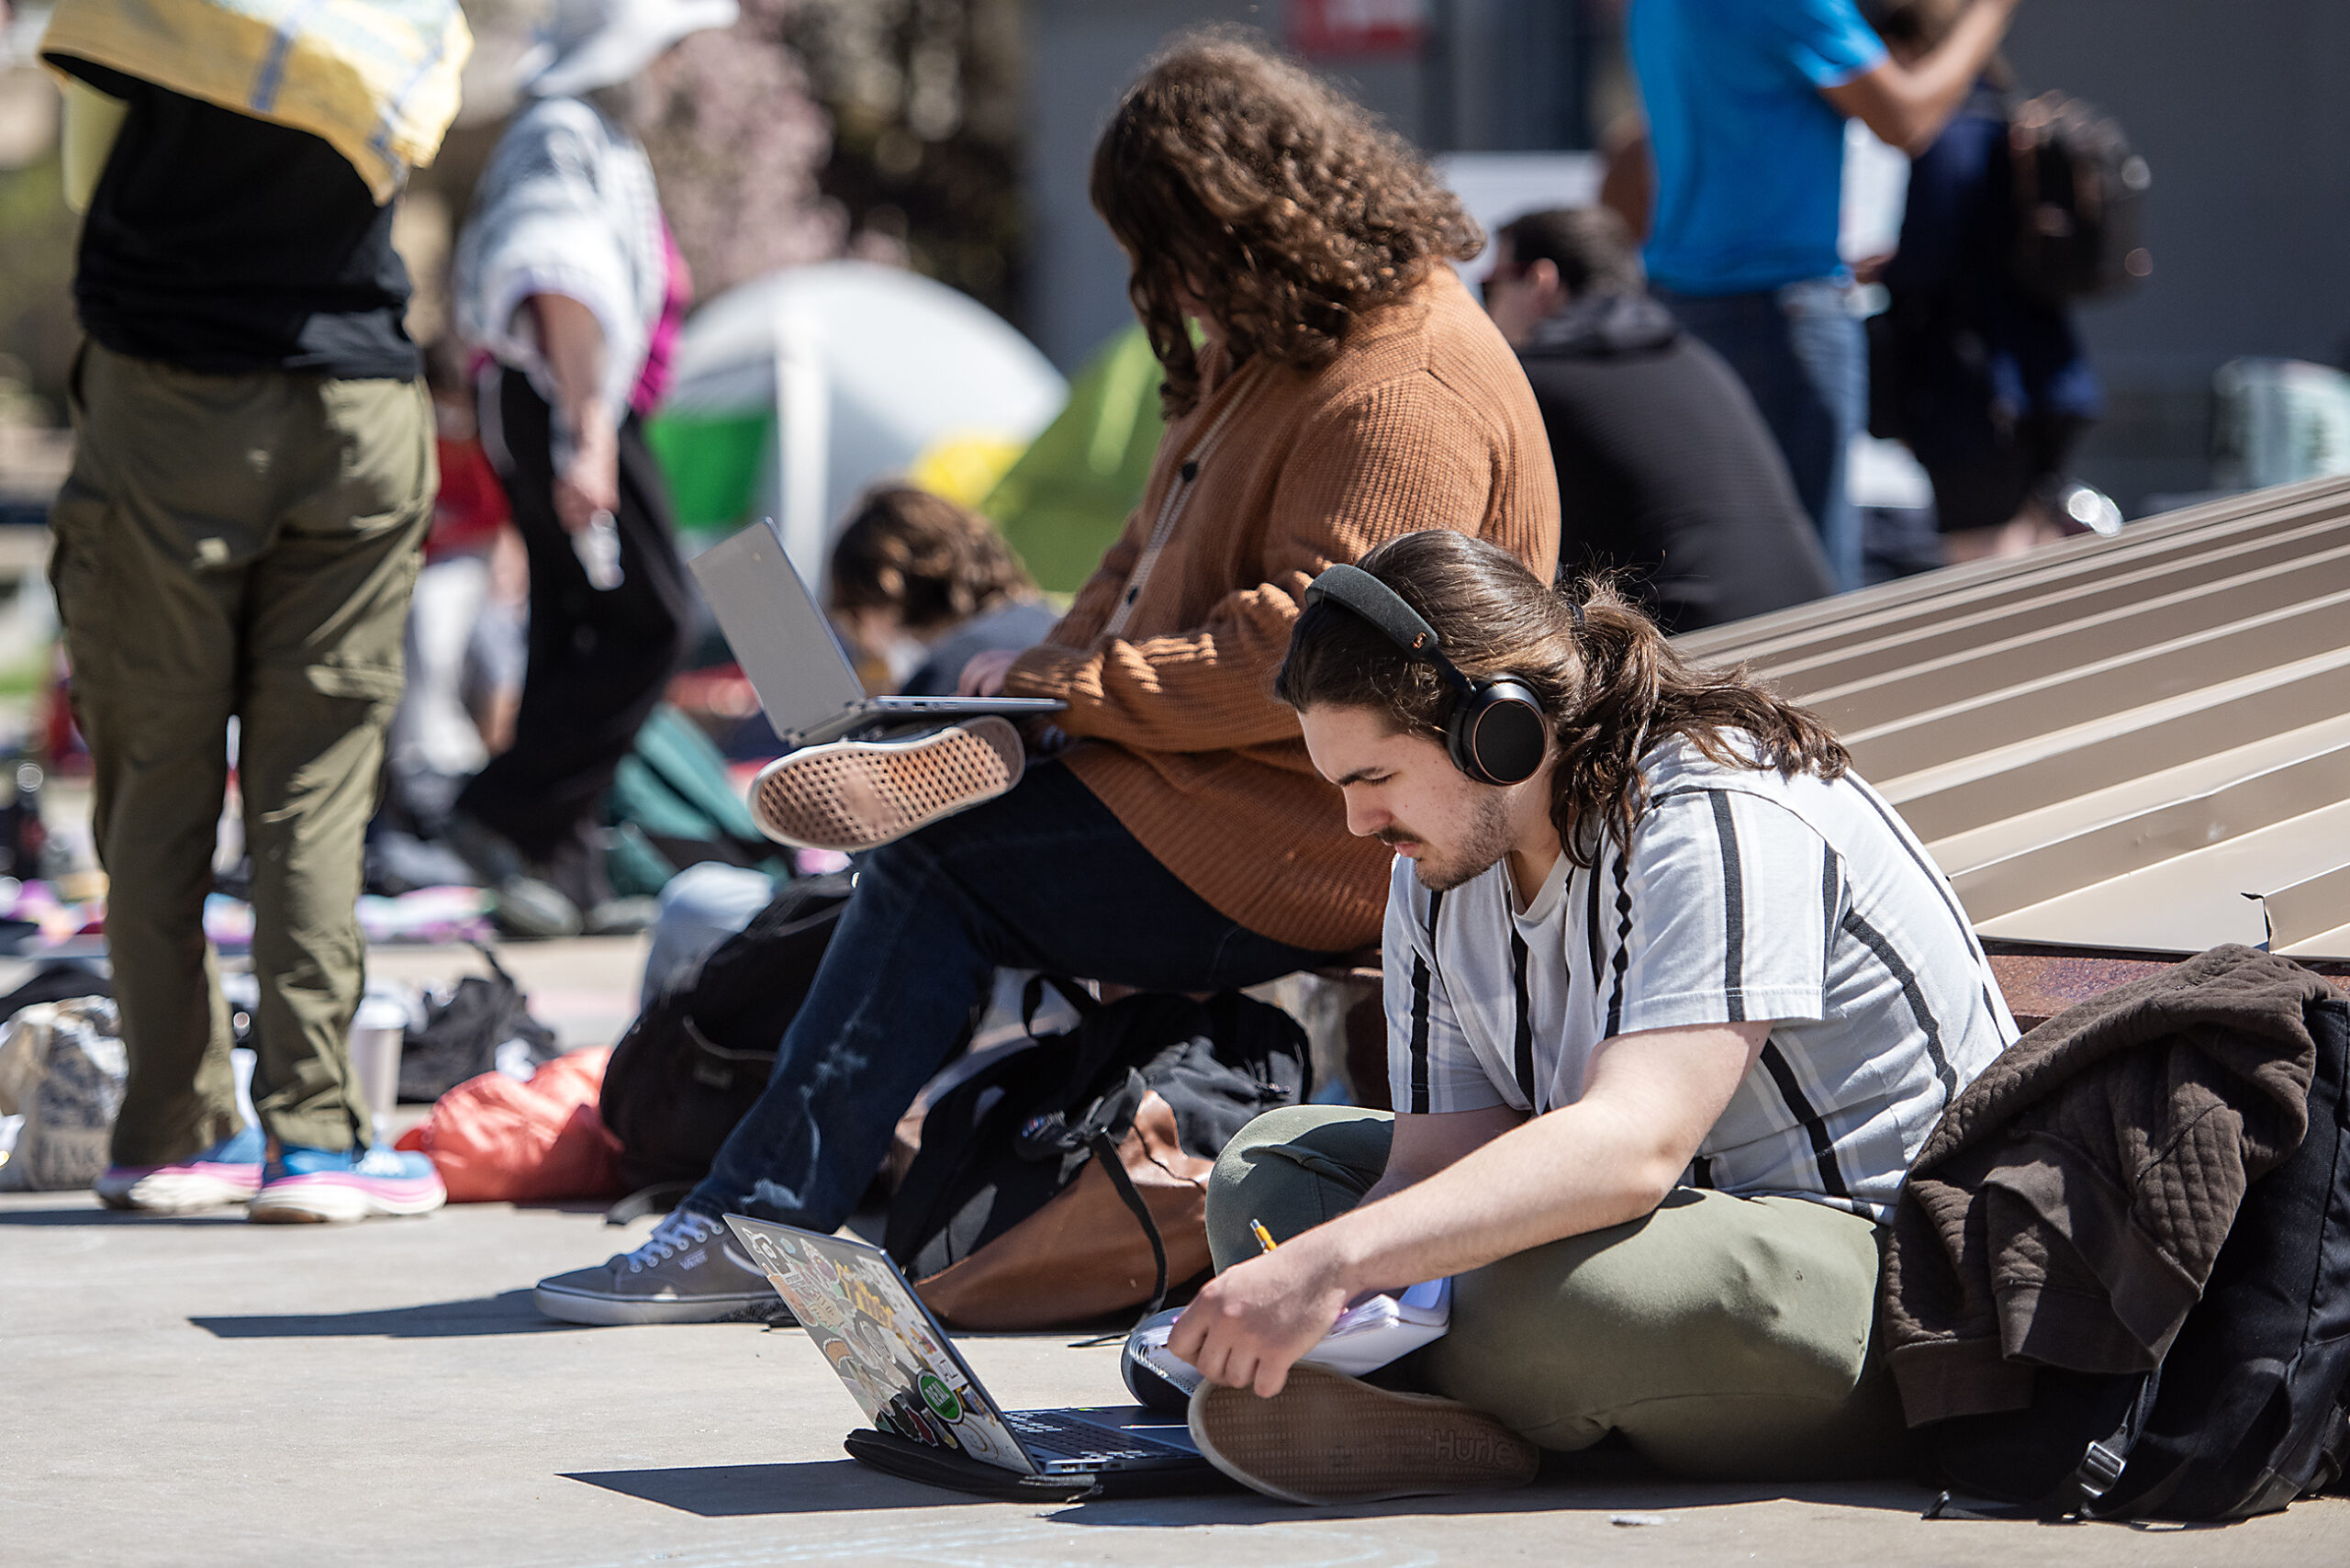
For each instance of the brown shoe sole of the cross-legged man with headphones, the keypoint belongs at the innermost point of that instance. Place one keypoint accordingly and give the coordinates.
(1329, 1438)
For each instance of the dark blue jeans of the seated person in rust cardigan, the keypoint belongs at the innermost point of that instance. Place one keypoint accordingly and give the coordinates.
(1042, 878)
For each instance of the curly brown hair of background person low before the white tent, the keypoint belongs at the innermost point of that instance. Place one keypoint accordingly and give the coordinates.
(927, 558)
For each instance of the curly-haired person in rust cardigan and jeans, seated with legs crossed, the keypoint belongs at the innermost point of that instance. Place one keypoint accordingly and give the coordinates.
(1345, 391)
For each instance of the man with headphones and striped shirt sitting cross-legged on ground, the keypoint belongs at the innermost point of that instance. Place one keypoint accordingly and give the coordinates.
(1674, 1000)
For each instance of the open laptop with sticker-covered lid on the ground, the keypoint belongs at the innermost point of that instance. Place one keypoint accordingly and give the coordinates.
(908, 1379)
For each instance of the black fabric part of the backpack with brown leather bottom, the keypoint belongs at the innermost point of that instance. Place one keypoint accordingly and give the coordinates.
(1016, 1134)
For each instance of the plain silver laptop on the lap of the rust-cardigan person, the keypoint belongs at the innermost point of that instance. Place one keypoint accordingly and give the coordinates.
(786, 648)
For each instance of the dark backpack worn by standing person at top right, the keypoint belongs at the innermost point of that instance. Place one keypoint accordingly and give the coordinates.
(2079, 196)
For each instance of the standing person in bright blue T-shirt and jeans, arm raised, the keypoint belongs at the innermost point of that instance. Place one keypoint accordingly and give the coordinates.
(1747, 105)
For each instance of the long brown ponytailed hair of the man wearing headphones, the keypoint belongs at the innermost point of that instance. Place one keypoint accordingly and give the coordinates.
(1611, 688)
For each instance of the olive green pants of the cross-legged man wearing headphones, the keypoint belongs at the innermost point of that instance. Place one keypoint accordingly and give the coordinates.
(1726, 1339)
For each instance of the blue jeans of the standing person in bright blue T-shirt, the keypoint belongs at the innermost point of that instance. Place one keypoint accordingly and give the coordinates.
(1804, 359)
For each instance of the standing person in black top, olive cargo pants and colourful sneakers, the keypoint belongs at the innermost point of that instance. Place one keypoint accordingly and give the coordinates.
(253, 481)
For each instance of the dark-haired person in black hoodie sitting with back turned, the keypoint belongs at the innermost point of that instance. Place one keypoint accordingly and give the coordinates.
(1667, 471)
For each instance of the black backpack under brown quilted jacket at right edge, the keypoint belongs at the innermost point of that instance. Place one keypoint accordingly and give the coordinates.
(2245, 1409)
